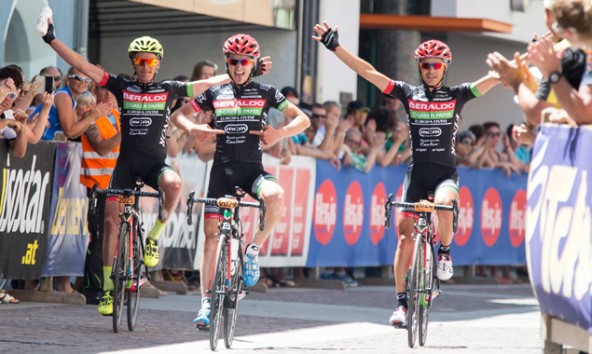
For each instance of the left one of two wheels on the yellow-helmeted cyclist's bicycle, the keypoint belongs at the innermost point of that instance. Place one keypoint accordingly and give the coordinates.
(119, 275)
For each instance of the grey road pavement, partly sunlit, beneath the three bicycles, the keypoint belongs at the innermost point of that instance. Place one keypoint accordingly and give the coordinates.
(464, 319)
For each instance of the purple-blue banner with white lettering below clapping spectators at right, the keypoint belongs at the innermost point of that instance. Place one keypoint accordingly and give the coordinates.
(559, 228)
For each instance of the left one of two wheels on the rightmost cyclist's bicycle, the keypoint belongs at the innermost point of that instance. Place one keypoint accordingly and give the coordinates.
(414, 294)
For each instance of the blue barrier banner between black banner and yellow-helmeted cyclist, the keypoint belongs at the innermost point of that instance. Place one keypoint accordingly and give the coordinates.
(68, 234)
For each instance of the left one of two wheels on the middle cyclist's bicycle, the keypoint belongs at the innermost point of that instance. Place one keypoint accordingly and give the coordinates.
(217, 291)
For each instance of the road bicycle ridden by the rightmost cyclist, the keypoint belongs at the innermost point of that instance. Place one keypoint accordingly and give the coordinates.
(423, 284)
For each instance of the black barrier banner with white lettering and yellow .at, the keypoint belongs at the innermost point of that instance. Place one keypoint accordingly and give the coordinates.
(24, 210)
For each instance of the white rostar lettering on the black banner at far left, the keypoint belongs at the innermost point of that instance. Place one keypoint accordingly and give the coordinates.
(22, 205)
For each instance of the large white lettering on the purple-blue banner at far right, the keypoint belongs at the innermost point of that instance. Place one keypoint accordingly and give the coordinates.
(564, 230)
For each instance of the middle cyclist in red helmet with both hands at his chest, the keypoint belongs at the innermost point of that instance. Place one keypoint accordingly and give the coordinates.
(238, 111)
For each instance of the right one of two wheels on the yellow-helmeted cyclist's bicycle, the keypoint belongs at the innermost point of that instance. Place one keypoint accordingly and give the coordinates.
(139, 273)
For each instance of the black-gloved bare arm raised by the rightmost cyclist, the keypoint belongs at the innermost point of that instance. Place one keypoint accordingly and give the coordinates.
(329, 38)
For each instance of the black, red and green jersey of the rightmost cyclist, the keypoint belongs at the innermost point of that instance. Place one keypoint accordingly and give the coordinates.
(433, 118)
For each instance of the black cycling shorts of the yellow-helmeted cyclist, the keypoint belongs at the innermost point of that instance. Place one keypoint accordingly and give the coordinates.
(129, 166)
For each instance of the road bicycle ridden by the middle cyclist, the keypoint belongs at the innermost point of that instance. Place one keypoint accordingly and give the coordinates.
(227, 285)
